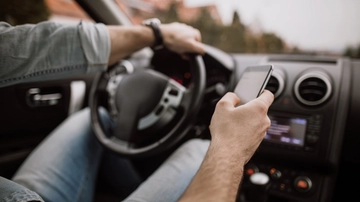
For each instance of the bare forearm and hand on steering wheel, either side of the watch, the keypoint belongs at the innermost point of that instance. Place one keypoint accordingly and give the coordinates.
(177, 37)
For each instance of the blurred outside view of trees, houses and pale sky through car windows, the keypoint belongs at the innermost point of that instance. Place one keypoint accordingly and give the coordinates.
(316, 27)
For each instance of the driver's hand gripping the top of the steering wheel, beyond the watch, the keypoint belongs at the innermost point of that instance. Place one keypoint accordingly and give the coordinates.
(182, 38)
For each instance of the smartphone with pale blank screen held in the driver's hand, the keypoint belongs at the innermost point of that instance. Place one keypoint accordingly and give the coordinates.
(252, 82)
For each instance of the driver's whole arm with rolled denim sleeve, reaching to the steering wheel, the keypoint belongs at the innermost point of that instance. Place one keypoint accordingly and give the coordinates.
(49, 50)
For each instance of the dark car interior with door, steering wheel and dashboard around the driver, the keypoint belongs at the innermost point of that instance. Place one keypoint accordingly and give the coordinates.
(310, 152)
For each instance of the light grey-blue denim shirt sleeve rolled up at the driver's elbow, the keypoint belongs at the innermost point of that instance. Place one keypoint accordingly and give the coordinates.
(49, 50)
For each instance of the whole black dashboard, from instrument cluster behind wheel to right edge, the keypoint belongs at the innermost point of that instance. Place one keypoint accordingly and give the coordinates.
(303, 153)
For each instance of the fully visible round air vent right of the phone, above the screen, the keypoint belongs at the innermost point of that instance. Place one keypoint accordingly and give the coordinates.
(313, 88)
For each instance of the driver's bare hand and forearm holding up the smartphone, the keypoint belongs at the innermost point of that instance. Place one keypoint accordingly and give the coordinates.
(236, 133)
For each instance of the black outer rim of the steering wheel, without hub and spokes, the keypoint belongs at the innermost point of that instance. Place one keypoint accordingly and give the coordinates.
(191, 104)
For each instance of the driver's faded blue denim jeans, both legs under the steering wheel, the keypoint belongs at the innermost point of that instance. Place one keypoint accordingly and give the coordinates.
(64, 168)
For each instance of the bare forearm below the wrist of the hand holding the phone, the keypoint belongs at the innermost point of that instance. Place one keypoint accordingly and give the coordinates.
(219, 176)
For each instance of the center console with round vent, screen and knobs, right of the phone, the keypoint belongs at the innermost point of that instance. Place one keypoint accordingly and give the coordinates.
(300, 153)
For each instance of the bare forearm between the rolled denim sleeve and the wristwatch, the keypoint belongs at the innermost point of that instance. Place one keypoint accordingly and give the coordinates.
(125, 40)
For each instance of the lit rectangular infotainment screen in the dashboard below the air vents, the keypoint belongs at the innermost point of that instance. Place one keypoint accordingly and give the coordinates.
(286, 130)
